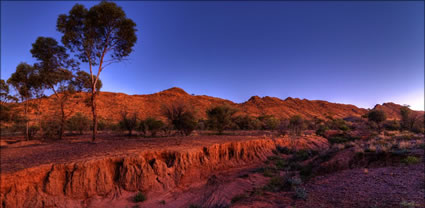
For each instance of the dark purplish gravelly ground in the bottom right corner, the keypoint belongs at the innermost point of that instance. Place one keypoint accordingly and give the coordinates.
(354, 188)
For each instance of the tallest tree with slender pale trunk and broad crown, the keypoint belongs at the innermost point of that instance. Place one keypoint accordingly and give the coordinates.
(99, 36)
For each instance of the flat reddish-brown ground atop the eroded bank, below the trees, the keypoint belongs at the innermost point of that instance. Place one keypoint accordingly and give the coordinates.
(76, 148)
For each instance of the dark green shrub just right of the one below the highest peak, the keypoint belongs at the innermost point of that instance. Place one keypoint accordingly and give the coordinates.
(220, 117)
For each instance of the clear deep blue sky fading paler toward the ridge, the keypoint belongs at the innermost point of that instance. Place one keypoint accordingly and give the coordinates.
(357, 52)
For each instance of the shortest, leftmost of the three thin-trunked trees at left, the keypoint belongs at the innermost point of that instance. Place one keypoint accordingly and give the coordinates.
(26, 82)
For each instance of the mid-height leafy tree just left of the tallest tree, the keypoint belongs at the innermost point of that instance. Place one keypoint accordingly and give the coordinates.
(55, 69)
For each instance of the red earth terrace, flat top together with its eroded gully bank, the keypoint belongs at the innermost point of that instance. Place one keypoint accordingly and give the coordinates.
(78, 174)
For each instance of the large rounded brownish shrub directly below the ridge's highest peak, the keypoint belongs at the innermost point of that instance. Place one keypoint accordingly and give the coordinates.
(181, 116)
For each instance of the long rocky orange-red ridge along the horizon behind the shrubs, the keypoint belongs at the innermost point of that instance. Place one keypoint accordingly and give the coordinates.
(111, 104)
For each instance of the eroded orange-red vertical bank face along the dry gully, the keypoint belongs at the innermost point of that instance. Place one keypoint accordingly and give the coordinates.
(74, 183)
